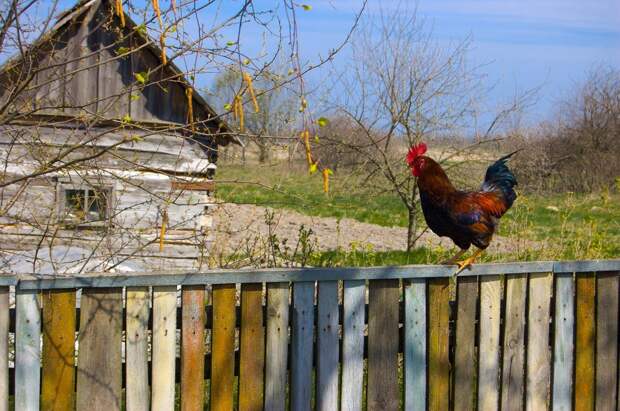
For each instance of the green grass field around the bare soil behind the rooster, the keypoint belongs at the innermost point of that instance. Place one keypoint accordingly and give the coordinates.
(568, 226)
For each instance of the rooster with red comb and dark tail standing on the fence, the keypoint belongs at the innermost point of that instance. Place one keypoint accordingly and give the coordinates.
(466, 217)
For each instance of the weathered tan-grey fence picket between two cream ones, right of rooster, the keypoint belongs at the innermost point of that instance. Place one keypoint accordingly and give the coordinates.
(513, 367)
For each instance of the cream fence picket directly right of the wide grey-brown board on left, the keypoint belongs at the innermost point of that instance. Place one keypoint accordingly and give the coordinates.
(137, 395)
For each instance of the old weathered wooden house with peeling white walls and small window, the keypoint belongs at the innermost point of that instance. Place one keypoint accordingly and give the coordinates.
(107, 152)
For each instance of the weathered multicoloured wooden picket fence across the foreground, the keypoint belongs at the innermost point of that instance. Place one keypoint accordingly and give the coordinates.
(535, 336)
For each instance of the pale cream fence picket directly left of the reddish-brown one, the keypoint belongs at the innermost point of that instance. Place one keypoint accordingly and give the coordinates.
(164, 348)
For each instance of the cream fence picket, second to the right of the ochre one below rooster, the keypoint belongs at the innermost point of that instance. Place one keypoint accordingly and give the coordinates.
(488, 363)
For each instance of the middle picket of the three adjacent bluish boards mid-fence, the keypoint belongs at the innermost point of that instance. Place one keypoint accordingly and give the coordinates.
(327, 346)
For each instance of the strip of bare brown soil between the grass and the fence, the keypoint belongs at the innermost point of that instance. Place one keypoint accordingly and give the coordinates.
(242, 224)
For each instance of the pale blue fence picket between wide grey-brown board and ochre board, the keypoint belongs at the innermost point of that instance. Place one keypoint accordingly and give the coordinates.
(415, 345)
